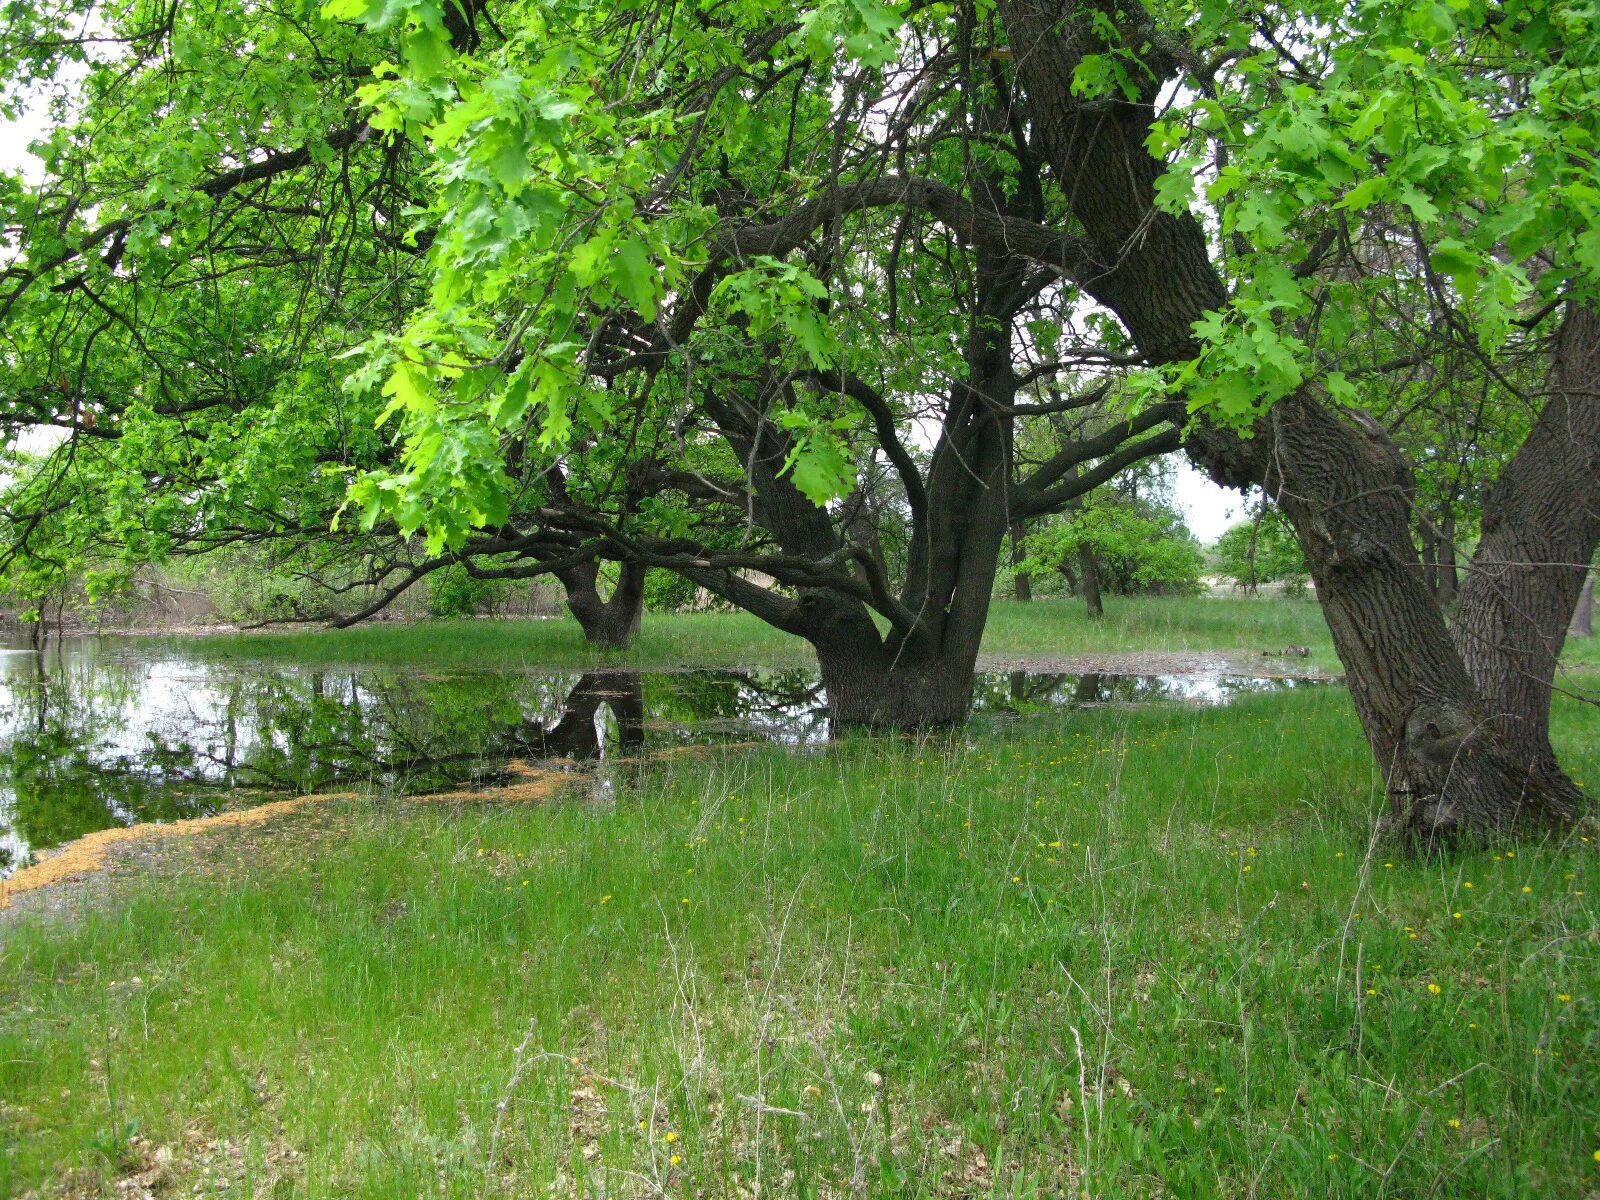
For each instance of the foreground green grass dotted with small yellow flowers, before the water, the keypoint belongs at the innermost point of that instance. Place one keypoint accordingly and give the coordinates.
(1121, 953)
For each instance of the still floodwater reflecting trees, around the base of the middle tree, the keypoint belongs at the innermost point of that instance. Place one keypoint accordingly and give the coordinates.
(106, 732)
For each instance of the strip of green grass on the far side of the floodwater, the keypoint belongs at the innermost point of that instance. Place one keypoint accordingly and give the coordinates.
(1044, 628)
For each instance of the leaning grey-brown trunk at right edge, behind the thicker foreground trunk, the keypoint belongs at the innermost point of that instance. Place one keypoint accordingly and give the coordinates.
(1542, 526)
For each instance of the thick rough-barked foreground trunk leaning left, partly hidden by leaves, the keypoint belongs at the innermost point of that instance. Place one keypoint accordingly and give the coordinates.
(1338, 478)
